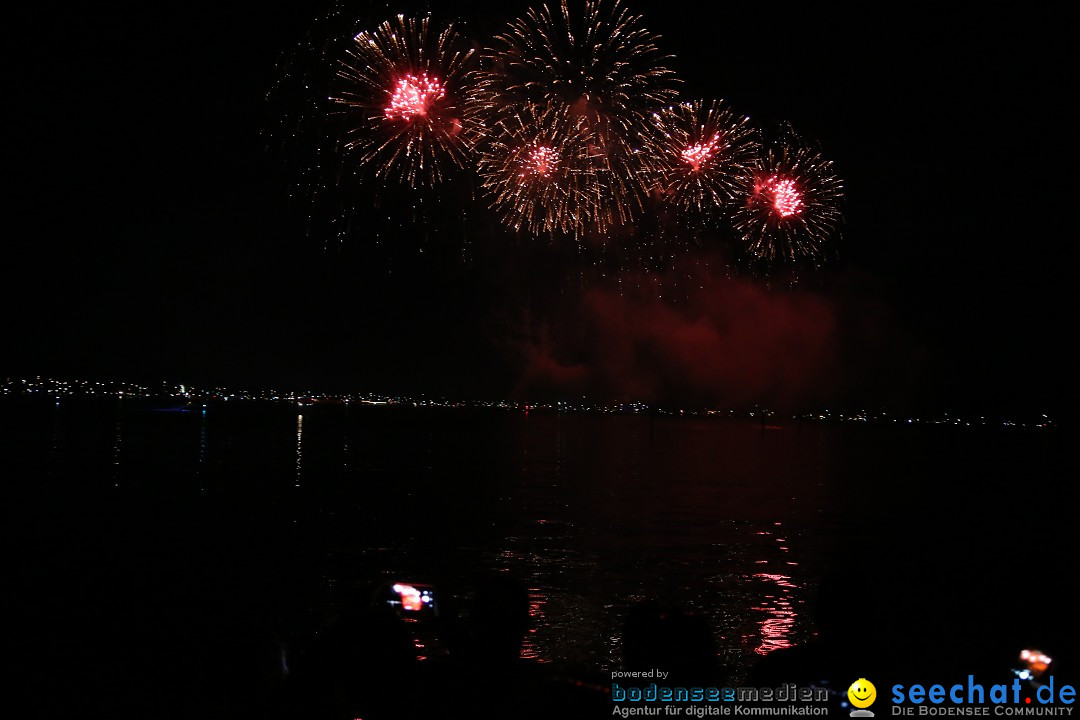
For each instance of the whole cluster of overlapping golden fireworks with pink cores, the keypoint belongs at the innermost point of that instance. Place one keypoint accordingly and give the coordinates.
(572, 121)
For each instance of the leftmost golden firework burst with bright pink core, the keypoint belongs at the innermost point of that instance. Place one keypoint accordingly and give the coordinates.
(403, 90)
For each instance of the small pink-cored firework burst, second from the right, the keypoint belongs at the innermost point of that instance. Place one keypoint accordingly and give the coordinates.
(704, 154)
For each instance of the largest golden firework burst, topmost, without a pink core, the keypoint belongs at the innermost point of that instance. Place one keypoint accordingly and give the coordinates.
(596, 72)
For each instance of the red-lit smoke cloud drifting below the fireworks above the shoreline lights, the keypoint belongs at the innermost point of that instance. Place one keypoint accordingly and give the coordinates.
(733, 342)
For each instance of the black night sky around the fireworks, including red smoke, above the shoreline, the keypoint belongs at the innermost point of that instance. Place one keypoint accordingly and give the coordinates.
(151, 233)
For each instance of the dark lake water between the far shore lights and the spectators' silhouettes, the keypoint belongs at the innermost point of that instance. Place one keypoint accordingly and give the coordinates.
(137, 527)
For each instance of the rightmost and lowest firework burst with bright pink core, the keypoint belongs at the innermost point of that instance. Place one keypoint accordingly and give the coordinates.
(792, 209)
